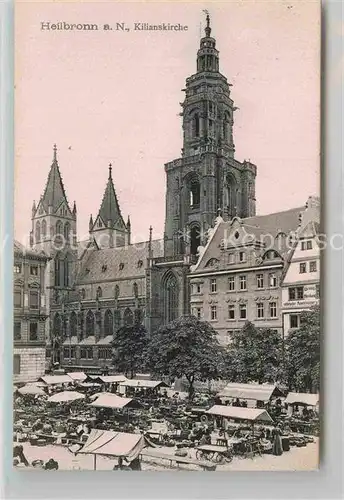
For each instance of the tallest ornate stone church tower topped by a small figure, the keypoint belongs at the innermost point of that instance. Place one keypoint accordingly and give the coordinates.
(207, 178)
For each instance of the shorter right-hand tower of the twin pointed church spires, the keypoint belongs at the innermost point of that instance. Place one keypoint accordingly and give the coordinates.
(109, 230)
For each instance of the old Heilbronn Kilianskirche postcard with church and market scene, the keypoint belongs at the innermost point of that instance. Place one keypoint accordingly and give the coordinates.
(166, 275)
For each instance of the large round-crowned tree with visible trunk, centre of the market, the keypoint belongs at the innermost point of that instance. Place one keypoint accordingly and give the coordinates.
(186, 347)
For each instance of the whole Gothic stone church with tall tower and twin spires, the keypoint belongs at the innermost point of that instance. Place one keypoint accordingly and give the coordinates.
(94, 287)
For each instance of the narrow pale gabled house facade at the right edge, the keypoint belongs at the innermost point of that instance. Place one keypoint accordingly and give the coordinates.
(301, 280)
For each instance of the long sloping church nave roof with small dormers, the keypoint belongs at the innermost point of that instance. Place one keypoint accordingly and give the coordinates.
(106, 264)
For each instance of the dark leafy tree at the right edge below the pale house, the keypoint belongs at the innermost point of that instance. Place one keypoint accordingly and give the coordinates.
(302, 350)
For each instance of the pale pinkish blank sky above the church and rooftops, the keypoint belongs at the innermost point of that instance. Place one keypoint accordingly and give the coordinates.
(113, 96)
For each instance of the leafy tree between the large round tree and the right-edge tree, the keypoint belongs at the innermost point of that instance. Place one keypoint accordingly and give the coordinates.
(255, 355)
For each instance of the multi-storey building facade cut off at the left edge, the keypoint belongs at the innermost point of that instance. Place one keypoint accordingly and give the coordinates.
(30, 314)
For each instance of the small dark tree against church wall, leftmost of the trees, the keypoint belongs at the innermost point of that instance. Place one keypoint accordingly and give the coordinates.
(130, 344)
